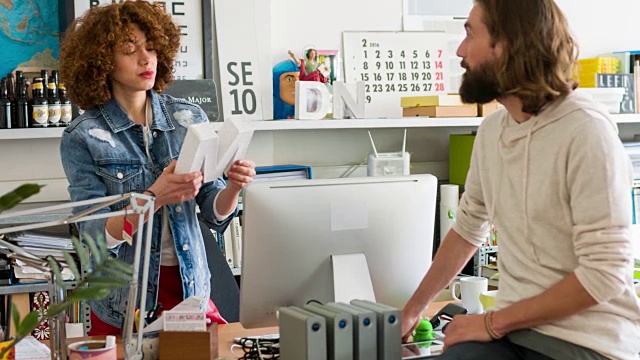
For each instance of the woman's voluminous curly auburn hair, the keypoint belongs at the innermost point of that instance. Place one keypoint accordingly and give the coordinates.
(88, 50)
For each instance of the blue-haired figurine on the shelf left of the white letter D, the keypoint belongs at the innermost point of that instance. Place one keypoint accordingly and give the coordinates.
(285, 75)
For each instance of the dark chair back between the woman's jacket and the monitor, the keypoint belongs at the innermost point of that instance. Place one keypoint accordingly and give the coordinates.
(225, 292)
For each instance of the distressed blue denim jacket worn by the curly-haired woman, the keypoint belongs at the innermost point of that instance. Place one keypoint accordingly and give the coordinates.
(103, 154)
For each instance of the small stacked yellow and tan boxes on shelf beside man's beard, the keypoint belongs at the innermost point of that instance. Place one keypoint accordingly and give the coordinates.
(442, 105)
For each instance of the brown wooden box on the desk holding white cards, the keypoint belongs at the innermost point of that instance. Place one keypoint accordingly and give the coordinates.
(200, 345)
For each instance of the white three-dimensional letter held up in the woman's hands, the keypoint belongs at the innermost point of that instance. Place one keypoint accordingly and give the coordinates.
(213, 153)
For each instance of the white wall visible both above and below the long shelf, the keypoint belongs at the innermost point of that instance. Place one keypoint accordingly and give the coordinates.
(296, 23)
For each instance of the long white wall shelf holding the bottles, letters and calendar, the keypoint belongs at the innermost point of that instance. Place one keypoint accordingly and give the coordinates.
(326, 124)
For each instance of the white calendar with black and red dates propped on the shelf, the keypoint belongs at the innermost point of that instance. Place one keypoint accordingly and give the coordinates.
(398, 64)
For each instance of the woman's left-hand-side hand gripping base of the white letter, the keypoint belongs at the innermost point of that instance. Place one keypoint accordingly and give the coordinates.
(172, 188)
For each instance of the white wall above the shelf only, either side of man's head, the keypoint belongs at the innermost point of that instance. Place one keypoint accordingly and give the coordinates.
(599, 26)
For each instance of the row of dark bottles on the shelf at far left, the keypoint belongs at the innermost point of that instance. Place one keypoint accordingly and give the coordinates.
(44, 108)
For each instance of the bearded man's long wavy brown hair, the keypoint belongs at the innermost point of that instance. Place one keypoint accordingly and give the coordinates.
(539, 53)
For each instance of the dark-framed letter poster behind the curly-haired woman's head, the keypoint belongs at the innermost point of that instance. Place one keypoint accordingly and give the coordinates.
(195, 58)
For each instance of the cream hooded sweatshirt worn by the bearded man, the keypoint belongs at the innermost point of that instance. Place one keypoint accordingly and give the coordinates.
(558, 189)
